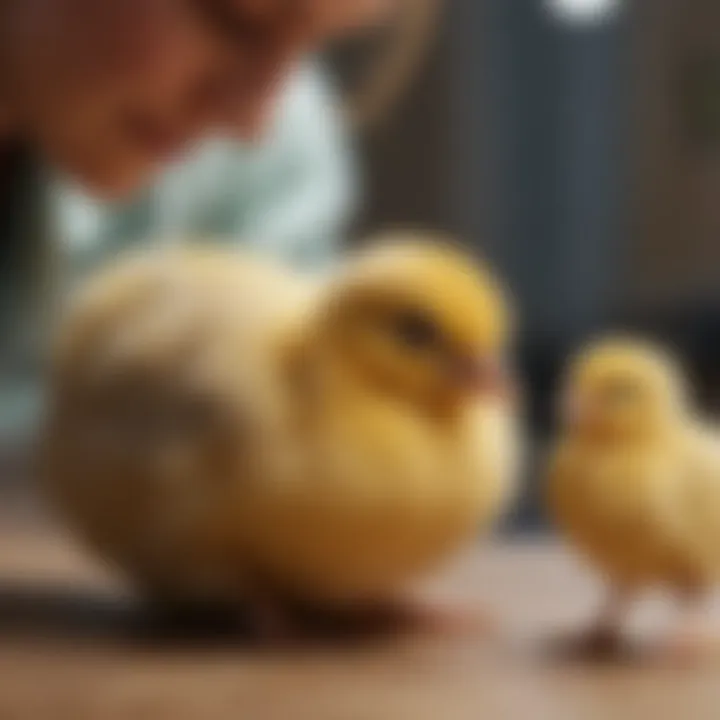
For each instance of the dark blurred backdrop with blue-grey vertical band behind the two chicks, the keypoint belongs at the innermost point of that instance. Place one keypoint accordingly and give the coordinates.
(577, 144)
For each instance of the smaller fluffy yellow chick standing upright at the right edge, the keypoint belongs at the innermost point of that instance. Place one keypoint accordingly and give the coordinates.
(634, 481)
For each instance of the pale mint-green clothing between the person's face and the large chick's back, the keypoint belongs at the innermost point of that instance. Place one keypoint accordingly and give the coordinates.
(292, 194)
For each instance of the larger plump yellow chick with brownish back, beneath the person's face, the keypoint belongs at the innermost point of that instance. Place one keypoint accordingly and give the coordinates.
(226, 431)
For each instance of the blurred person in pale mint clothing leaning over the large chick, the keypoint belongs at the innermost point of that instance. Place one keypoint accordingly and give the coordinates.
(99, 96)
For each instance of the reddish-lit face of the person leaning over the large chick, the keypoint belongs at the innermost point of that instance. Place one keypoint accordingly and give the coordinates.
(110, 89)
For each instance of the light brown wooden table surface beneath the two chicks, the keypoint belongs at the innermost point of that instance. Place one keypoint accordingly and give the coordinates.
(66, 653)
